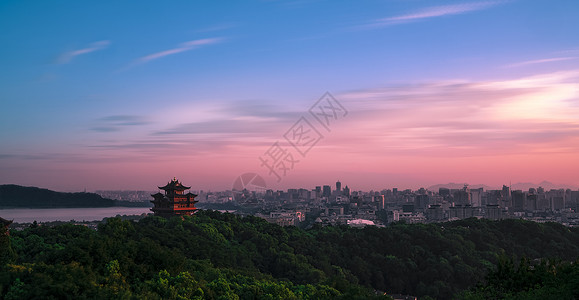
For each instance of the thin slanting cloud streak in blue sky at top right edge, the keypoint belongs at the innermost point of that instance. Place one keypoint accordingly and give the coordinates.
(431, 12)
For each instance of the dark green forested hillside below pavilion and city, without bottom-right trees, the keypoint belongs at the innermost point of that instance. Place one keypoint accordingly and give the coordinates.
(214, 255)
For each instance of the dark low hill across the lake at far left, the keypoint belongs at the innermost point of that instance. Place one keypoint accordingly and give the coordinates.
(16, 196)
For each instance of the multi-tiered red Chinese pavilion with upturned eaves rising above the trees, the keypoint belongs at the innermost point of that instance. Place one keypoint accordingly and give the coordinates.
(174, 202)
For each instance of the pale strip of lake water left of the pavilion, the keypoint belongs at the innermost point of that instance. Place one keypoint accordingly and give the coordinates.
(27, 215)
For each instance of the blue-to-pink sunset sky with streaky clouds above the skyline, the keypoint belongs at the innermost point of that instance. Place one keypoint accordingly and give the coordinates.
(377, 94)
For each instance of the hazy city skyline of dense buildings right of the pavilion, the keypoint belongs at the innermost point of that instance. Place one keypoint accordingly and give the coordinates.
(337, 205)
